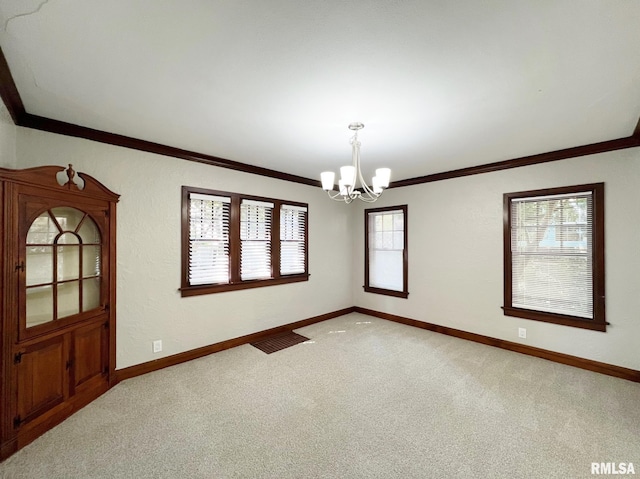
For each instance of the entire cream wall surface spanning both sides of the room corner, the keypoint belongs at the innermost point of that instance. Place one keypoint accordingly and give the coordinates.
(455, 250)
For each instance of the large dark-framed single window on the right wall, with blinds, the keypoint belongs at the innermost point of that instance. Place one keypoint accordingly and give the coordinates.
(554, 255)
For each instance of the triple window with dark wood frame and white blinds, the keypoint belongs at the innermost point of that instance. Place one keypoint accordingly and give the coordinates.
(232, 241)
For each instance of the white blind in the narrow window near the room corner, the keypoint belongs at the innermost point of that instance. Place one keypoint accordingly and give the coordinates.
(386, 250)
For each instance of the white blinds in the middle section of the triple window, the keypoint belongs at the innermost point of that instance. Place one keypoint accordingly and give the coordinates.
(255, 239)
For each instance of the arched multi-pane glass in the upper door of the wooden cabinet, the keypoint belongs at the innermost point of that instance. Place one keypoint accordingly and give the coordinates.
(63, 268)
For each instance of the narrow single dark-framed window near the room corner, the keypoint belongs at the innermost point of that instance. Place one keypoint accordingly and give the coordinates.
(385, 264)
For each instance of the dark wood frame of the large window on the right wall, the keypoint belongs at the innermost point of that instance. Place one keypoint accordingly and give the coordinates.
(598, 323)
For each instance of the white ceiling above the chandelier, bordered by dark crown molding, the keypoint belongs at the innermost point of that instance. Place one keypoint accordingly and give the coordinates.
(439, 85)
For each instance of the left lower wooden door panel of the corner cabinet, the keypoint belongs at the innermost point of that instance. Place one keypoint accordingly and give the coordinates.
(41, 375)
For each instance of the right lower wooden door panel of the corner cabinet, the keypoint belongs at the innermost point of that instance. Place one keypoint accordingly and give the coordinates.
(90, 353)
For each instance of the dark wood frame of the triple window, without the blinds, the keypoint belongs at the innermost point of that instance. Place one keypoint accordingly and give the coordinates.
(235, 283)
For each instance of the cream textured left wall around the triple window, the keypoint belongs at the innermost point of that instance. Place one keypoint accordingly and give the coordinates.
(149, 303)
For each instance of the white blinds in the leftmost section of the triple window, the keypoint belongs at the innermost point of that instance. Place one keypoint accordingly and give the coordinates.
(208, 239)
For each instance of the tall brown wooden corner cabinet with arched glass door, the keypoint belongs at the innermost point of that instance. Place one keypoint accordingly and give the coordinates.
(57, 298)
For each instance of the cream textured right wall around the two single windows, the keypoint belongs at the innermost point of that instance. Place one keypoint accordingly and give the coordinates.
(456, 247)
